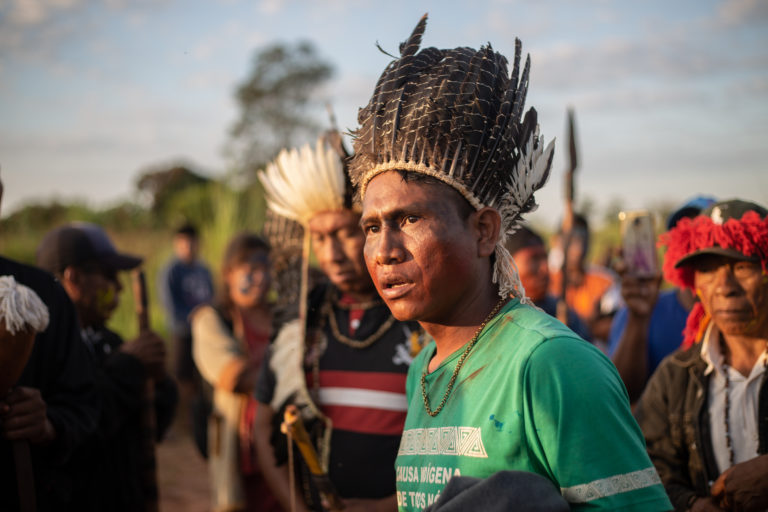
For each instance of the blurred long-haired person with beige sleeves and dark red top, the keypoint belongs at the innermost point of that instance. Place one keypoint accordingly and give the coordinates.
(229, 340)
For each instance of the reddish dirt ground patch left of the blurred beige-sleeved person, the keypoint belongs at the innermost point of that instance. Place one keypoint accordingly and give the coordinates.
(182, 473)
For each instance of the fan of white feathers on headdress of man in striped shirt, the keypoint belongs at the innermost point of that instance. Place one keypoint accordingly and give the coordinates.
(301, 183)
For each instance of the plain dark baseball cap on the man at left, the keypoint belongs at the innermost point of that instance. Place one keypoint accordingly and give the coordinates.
(80, 243)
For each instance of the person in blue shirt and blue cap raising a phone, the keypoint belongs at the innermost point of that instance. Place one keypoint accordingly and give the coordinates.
(650, 326)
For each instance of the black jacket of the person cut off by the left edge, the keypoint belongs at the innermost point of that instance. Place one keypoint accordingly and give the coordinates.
(63, 371)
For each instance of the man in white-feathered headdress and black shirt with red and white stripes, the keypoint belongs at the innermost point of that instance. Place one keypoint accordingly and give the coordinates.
(346, 369)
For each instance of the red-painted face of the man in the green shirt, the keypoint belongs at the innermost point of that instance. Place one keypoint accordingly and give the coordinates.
(420, 252)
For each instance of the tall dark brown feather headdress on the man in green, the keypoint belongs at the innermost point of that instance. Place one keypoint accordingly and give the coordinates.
(457, 115)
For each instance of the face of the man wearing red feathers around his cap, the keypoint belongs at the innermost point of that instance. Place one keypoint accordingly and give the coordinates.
(734, 293)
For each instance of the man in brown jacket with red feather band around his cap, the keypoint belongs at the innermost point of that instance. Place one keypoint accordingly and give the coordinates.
(705, 410)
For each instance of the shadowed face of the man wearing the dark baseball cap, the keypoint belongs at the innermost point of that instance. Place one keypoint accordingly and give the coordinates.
(95, 292)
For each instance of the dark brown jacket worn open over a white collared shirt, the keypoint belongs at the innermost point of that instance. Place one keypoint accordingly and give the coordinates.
(674, 417)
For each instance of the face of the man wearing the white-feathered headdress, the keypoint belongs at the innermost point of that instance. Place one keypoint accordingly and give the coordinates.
(337, 241)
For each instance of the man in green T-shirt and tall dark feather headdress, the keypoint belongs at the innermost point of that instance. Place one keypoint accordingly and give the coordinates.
(445, 165)
